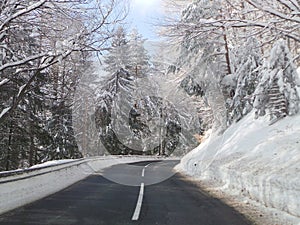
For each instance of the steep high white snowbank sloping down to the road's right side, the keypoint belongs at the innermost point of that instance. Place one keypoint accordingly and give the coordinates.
(253, 160)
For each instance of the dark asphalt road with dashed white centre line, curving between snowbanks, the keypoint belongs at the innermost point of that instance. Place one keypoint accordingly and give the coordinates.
(99, 200)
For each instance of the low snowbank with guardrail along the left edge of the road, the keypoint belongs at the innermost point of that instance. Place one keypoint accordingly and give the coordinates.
(18, 188)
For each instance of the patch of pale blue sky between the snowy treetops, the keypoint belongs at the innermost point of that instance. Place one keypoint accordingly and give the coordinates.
(143, 14)
